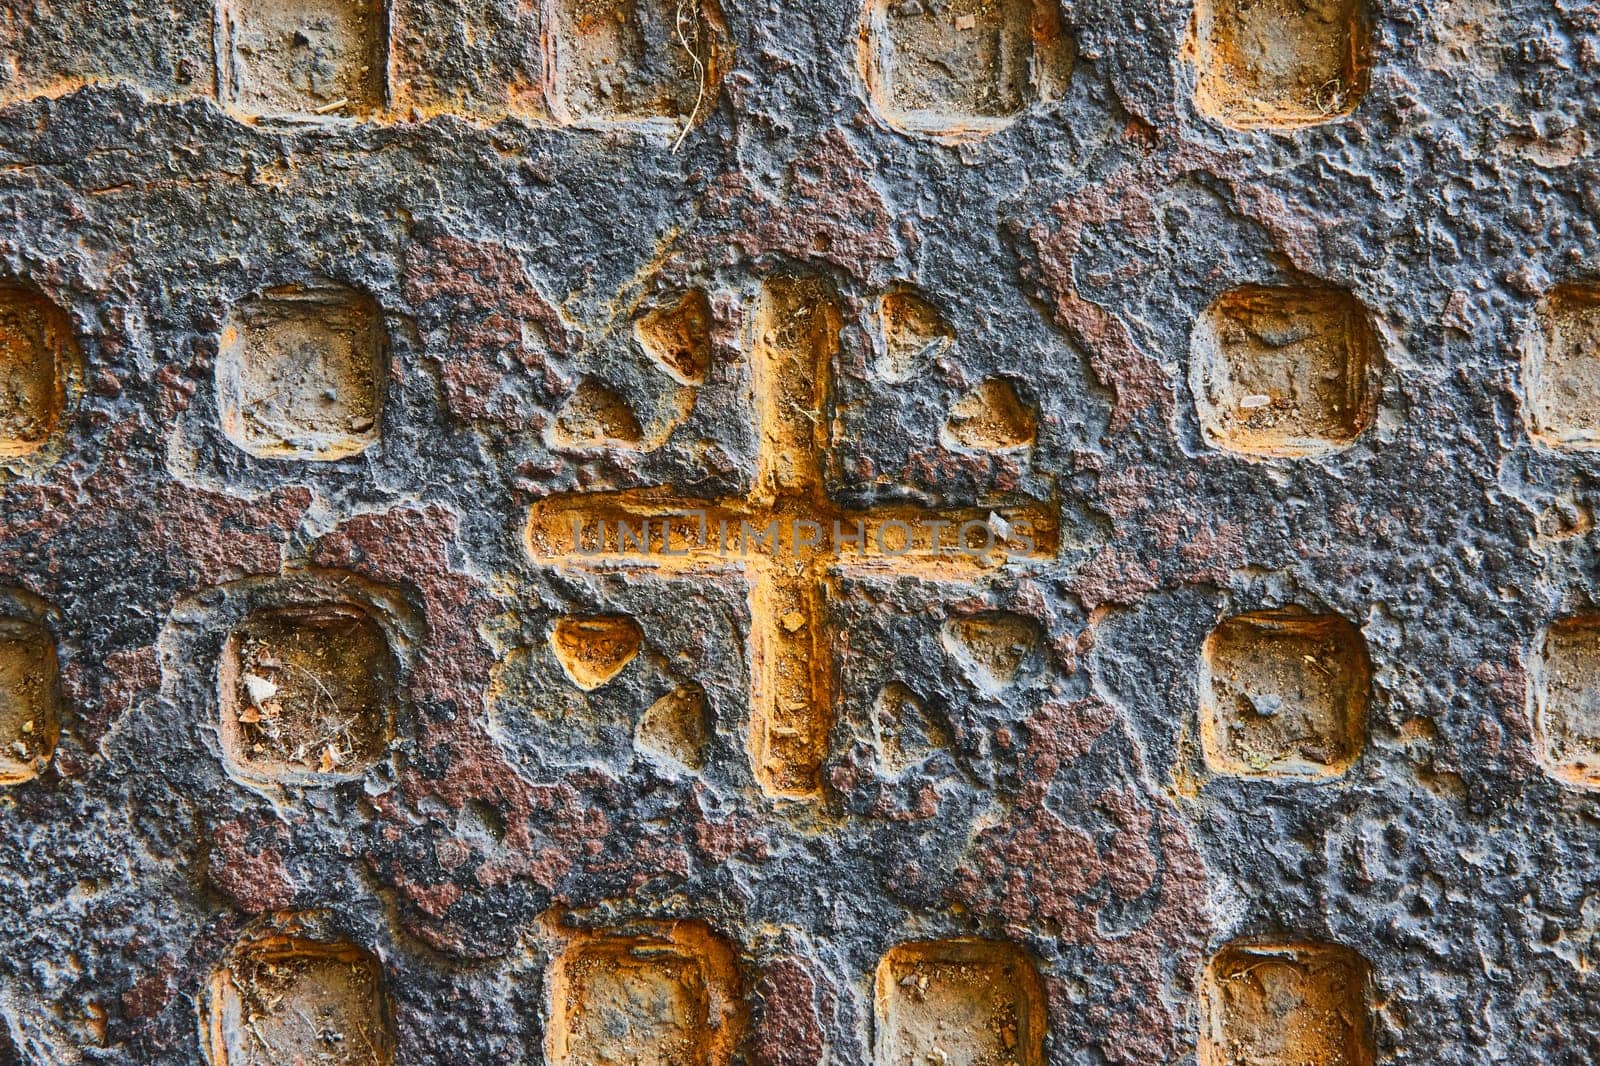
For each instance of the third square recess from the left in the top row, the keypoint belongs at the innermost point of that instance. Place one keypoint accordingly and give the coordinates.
(962, 68)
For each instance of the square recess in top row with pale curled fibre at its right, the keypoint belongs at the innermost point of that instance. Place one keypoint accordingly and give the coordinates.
(633, 60)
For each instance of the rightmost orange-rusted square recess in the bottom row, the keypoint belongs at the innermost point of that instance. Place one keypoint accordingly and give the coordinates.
(1286, 1006)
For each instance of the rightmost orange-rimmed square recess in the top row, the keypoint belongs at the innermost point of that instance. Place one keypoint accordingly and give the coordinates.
(1279, 65)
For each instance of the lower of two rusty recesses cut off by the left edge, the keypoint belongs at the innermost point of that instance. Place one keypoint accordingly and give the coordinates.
(30, 700)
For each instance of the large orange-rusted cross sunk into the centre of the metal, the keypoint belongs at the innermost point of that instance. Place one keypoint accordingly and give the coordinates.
(788, 535)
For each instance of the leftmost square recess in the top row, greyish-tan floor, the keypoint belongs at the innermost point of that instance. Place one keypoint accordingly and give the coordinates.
(303, 58)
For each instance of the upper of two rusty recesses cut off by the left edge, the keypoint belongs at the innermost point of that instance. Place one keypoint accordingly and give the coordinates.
(36, 350)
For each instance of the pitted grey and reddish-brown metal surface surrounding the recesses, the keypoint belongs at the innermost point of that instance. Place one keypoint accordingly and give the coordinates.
(1012, 753)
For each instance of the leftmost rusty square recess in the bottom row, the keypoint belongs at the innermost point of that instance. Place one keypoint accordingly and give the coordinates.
(282, 1000)
